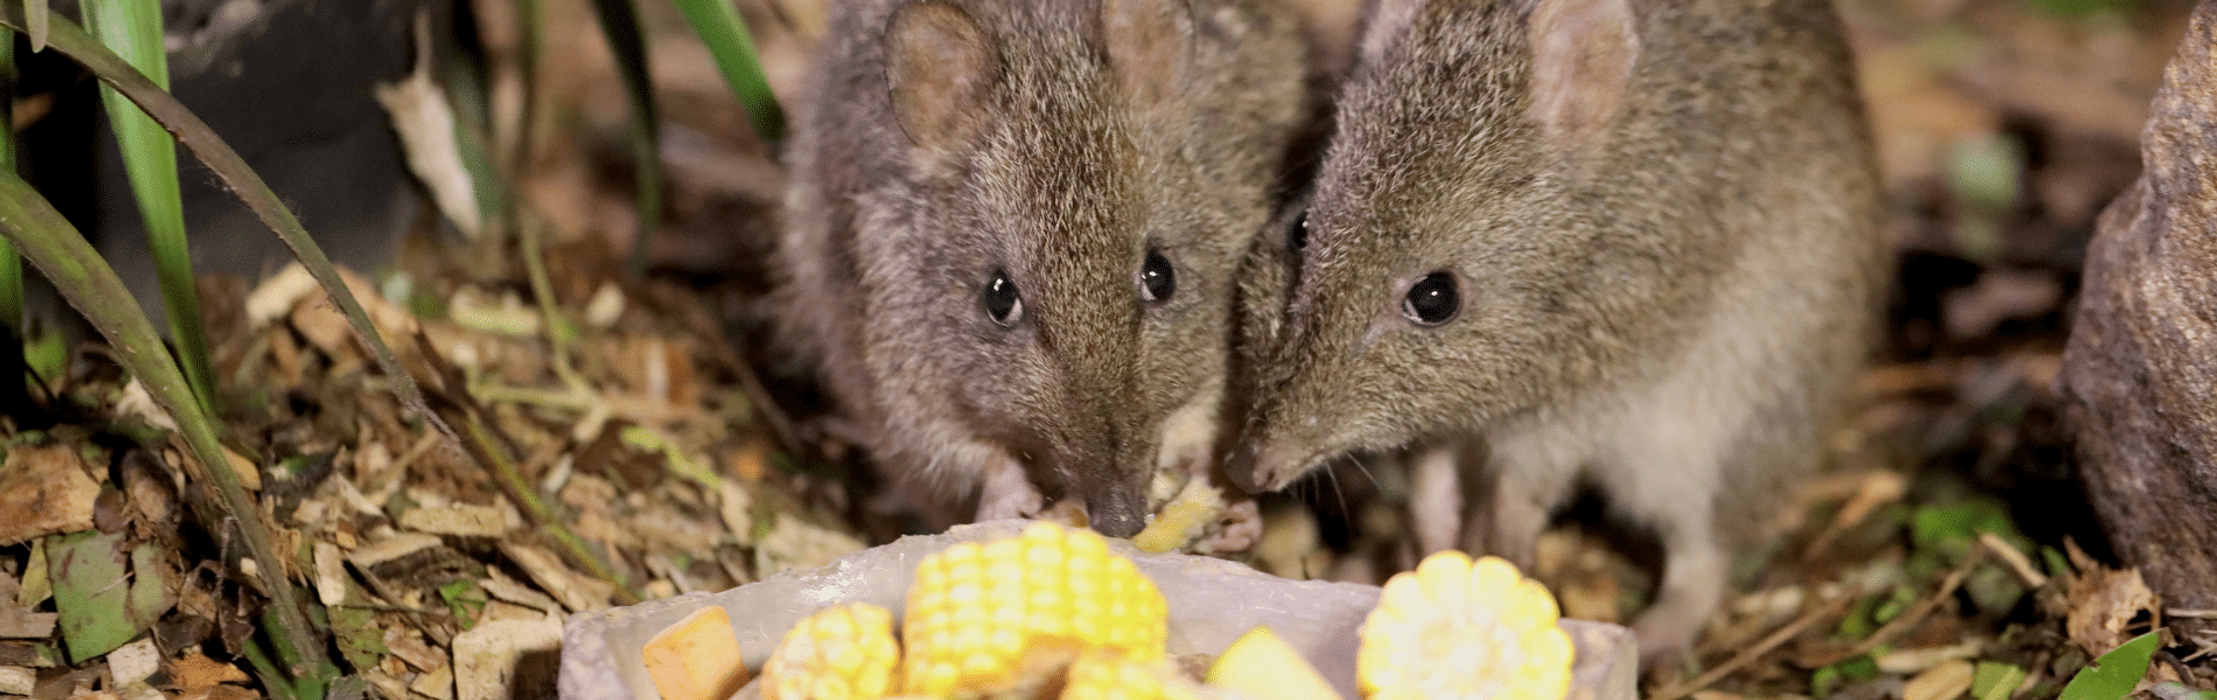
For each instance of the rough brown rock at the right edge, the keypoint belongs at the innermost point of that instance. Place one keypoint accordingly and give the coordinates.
(2141, 371)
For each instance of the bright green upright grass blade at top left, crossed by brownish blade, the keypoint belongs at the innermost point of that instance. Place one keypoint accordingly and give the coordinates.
(134, 30)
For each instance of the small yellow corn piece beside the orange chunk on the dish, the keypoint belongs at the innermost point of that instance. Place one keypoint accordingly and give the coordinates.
(841, 652)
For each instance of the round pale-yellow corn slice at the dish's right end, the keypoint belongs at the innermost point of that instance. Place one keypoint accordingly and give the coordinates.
(1464, 630)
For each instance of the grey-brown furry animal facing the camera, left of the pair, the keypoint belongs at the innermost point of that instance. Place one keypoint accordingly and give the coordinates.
(1056, 141)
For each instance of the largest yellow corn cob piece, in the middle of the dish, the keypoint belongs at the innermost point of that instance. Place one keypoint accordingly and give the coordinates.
(983, 617)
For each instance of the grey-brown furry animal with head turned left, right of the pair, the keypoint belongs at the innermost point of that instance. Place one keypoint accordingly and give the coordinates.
(1664, 238)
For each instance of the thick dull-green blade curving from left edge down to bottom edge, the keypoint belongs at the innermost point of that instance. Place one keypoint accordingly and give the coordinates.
(92, 287)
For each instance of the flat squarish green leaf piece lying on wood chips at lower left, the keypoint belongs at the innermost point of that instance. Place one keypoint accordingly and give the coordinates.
(90, 590)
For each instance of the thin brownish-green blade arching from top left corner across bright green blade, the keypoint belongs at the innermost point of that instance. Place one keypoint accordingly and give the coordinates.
(232, 169)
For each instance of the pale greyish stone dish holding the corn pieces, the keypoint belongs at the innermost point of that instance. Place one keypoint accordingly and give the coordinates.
(1212, 604)
